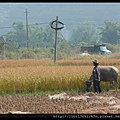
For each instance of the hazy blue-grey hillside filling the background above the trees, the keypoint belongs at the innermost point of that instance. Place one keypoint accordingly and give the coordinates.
(68, 13)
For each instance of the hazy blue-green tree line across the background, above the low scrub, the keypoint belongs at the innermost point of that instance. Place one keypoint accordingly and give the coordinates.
(83, 34)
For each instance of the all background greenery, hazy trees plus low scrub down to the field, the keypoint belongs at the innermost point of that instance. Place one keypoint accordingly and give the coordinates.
(42, 40)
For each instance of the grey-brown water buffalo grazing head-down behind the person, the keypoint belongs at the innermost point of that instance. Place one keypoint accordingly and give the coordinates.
(107, 74)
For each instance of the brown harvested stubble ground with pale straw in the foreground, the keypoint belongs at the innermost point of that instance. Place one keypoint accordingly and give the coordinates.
(65, 103)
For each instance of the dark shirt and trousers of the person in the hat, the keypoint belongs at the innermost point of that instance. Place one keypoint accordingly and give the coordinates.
(96, 79)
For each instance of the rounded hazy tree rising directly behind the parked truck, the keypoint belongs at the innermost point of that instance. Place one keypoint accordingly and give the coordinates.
(85, 33)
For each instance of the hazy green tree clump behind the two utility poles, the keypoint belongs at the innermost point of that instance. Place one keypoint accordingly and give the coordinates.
(37, 36)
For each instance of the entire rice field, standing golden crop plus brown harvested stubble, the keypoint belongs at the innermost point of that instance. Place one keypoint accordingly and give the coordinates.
(53, 88)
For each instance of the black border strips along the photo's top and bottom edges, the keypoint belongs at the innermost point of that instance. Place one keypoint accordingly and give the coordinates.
(59, 116)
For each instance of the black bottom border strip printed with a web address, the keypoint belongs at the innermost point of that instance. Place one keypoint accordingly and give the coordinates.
(59, 116)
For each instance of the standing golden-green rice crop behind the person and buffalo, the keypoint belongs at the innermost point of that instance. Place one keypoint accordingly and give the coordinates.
(28, 76)
